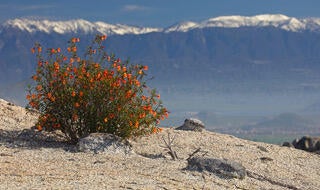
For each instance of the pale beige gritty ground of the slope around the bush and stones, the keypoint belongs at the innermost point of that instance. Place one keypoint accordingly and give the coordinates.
(34, 160)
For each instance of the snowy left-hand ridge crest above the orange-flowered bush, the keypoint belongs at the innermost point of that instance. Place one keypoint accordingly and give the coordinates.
(74, 26)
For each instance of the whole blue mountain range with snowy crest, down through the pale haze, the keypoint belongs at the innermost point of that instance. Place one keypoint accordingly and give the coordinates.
(222, 64)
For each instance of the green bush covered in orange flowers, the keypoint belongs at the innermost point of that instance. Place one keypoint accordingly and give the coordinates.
(97, 93)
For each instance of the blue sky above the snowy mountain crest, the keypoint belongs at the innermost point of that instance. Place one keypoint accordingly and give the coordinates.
(155, 13)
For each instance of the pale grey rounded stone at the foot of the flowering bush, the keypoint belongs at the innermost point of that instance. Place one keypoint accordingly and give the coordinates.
(103, 142)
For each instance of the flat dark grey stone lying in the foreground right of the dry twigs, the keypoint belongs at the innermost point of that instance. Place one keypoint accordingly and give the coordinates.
(226, 168)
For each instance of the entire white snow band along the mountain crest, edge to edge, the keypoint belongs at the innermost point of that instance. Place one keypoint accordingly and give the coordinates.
(74, 26)
